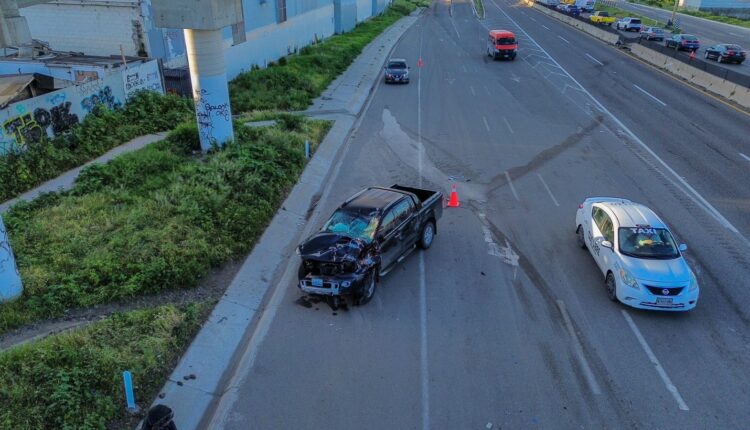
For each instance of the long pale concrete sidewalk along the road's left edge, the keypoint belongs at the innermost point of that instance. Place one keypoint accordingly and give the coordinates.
(199, 380)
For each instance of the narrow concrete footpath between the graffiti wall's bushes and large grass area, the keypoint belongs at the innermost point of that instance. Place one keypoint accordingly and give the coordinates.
(66, 180)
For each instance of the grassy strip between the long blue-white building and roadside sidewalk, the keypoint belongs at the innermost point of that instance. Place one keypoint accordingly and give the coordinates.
(294, 81)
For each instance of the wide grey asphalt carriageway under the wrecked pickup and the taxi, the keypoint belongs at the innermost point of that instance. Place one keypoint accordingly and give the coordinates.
(504, 322)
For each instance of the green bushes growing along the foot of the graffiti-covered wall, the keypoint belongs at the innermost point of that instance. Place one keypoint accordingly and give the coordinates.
(99, 132)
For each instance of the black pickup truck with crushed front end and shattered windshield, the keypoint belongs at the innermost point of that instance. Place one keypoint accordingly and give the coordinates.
(364, 238)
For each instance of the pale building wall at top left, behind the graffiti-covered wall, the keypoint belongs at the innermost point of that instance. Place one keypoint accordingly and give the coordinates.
(94, 28)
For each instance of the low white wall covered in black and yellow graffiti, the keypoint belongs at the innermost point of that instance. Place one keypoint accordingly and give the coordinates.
(55, 113)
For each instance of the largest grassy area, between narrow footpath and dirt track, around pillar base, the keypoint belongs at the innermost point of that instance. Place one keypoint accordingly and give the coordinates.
(152, 220)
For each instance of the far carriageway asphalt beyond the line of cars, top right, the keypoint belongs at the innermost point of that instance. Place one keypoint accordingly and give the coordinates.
(708, 32)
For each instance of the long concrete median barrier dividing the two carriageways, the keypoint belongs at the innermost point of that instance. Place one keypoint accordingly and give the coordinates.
(714, 84)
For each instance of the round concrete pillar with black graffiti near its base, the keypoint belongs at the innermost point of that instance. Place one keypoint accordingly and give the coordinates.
(205, 53)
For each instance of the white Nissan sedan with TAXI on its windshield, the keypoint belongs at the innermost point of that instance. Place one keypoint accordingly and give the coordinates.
(641, 264)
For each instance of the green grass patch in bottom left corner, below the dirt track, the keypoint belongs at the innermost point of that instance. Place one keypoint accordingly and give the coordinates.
(74, 379)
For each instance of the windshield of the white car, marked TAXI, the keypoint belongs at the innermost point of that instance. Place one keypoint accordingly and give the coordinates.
(647, 242)
